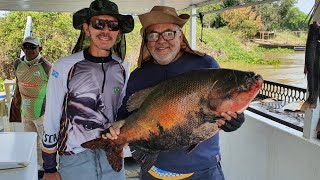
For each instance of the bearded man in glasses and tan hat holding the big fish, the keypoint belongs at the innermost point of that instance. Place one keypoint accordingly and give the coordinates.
(165, 53)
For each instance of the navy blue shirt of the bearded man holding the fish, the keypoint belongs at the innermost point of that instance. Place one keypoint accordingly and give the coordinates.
(178, 163)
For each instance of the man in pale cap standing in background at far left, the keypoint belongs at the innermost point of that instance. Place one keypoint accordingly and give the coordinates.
(28, 102)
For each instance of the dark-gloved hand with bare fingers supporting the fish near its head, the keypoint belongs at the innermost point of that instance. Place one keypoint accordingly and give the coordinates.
(232, 121)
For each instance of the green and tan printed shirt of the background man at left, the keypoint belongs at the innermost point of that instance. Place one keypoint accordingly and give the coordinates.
(28, 100)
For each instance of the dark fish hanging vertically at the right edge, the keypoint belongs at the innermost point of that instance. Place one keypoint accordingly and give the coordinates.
(311, 68)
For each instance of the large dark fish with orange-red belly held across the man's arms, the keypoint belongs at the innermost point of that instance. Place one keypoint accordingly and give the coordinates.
(174, 113)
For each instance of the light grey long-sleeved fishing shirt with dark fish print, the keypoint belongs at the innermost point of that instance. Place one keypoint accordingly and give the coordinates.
(83, 95)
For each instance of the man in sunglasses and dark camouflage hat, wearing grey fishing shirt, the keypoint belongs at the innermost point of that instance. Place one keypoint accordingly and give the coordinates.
(84, 92)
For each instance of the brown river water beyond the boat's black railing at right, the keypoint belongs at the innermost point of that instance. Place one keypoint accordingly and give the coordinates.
(289, 72)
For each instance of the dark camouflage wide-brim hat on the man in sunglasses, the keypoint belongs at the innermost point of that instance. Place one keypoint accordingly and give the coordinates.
(103, 7)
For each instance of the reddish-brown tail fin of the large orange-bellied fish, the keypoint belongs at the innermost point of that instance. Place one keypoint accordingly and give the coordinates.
(114, 152)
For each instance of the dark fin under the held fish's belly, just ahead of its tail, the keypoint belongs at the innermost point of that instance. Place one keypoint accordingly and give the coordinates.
(145, 159)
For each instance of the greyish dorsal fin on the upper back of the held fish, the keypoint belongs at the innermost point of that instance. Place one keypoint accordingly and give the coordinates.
(136, 99)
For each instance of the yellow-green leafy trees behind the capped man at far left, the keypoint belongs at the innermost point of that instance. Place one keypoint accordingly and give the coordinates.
(54, 30)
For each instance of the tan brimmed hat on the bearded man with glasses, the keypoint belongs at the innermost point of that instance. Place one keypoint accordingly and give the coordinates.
(161, 15)
